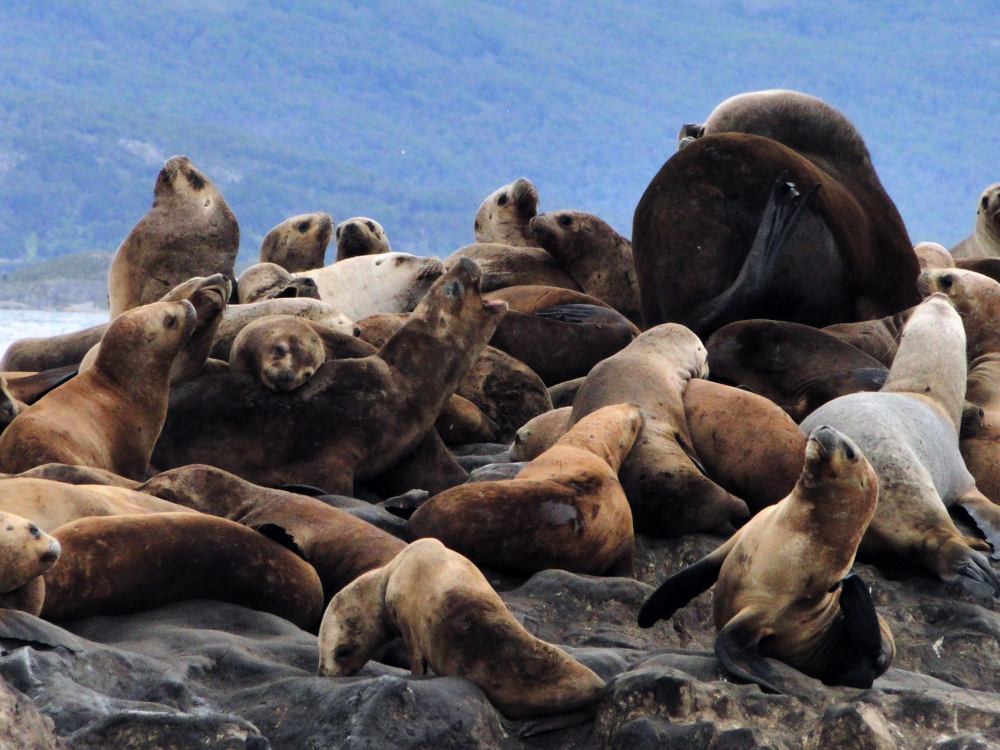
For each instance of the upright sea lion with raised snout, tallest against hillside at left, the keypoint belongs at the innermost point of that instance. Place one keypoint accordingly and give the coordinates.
(188, 232)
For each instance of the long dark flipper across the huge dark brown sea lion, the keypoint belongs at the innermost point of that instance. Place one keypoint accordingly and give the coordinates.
(781, 216)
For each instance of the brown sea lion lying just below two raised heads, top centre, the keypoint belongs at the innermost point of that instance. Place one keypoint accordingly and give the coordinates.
(506, 265)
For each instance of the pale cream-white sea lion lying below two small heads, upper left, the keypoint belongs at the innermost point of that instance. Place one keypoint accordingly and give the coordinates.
(372, 284)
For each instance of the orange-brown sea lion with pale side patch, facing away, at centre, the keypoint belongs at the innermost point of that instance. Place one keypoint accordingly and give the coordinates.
(566, 509)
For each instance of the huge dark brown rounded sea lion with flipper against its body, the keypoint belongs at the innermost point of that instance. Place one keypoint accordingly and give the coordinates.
(778, 238)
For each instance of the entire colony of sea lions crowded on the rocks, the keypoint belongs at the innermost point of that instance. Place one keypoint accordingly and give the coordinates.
(764, 362)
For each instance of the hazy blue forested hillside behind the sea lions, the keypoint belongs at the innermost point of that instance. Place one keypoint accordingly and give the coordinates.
(413, 112)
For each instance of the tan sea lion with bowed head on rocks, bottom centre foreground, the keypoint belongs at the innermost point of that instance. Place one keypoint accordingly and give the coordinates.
(454, 623)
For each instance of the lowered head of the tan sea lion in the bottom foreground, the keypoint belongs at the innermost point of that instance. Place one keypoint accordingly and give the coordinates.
(354, 626)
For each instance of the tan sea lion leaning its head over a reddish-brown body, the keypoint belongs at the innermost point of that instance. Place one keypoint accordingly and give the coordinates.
(667, 490)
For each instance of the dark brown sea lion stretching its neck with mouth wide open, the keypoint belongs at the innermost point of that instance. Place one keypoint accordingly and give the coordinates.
(354, 419)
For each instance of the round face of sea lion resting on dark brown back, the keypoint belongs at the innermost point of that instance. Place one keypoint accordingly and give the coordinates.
(283, 351)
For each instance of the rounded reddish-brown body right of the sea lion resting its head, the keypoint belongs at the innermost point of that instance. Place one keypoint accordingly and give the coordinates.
(746, 443)
